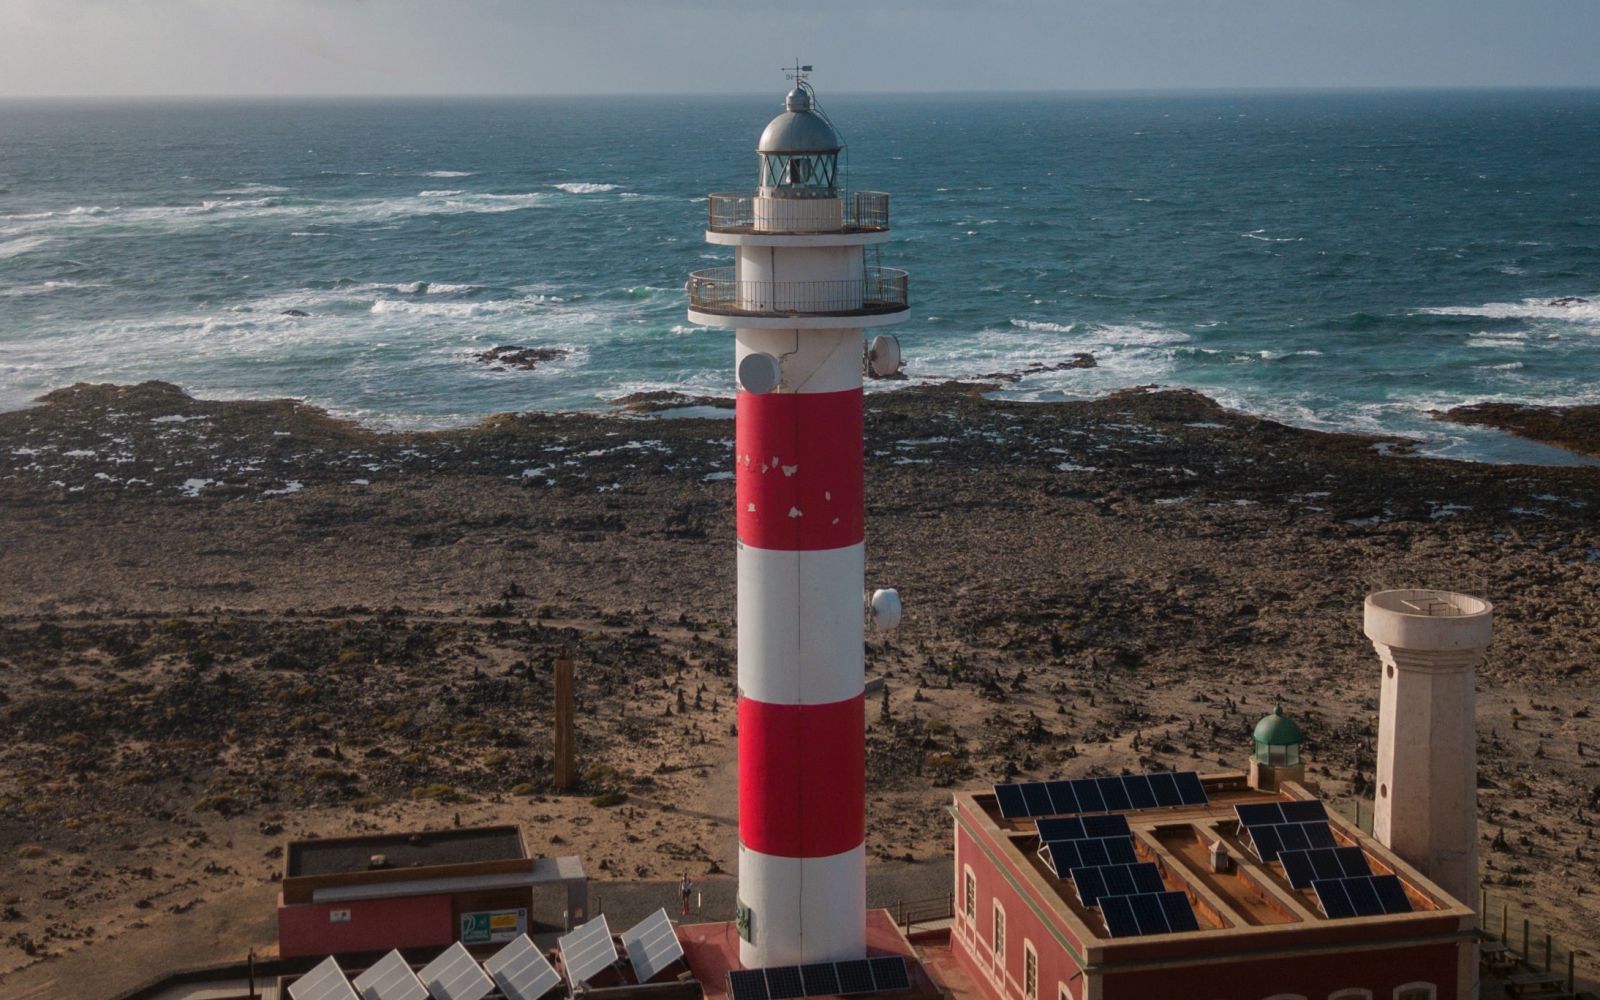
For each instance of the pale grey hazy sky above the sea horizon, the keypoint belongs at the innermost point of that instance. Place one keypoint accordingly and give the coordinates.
(582, 47)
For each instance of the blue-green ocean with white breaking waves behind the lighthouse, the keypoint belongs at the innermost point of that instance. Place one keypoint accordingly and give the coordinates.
(1345, 262)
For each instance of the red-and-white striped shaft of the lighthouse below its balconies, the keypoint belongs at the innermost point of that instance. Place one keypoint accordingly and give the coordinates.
(802, 713)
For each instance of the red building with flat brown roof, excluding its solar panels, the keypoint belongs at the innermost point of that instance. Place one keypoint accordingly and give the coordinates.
(1025, 934)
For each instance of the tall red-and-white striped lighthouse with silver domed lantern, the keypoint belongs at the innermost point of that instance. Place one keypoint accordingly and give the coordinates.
(799, 298)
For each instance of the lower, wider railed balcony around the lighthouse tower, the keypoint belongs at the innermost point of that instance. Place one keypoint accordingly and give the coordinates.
(878, 292)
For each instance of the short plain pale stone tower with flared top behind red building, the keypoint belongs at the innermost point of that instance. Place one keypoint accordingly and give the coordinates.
(1431, 644)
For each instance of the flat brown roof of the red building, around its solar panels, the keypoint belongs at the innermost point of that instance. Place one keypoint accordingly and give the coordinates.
(1249, 900)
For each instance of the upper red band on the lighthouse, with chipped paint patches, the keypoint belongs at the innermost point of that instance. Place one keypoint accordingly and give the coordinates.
(798, 470)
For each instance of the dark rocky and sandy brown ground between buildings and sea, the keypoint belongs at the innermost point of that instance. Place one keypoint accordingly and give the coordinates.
(228, 625)
